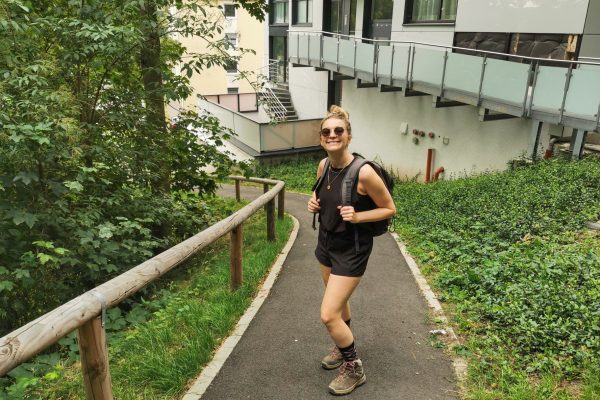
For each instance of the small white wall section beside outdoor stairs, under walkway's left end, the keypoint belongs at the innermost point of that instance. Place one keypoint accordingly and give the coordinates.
(308, 89)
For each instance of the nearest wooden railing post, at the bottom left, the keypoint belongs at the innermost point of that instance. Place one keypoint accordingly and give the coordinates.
(94, 360)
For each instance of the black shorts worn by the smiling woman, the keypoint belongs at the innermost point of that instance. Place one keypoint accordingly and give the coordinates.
(337, 250)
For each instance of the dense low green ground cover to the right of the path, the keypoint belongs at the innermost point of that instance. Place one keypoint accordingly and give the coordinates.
(510, 250)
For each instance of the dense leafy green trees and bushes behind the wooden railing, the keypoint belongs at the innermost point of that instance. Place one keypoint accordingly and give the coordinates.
(90, 170)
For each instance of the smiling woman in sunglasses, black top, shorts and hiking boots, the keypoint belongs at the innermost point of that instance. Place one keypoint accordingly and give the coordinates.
(342, 264)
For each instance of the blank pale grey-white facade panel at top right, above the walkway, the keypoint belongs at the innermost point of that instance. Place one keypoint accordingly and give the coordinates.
(524, 16)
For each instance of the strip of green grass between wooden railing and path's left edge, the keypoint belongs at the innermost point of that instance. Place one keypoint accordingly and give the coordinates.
(160, 358)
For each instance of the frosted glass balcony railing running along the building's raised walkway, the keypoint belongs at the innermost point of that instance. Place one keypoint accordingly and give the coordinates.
(564, 92)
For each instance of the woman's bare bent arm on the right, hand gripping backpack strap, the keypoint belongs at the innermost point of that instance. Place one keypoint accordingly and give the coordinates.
(371, 184)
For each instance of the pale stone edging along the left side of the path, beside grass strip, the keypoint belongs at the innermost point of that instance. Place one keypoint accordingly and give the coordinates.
(214, 366)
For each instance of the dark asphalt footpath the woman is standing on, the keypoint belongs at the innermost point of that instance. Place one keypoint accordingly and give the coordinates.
(279, 355)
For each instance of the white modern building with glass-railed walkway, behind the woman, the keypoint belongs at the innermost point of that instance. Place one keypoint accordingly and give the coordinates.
(463, 85)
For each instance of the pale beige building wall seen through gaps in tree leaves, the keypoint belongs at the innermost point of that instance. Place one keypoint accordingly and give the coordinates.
(250, 35)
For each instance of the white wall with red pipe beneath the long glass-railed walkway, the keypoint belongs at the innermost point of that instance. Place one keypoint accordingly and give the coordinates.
(473, 146)
